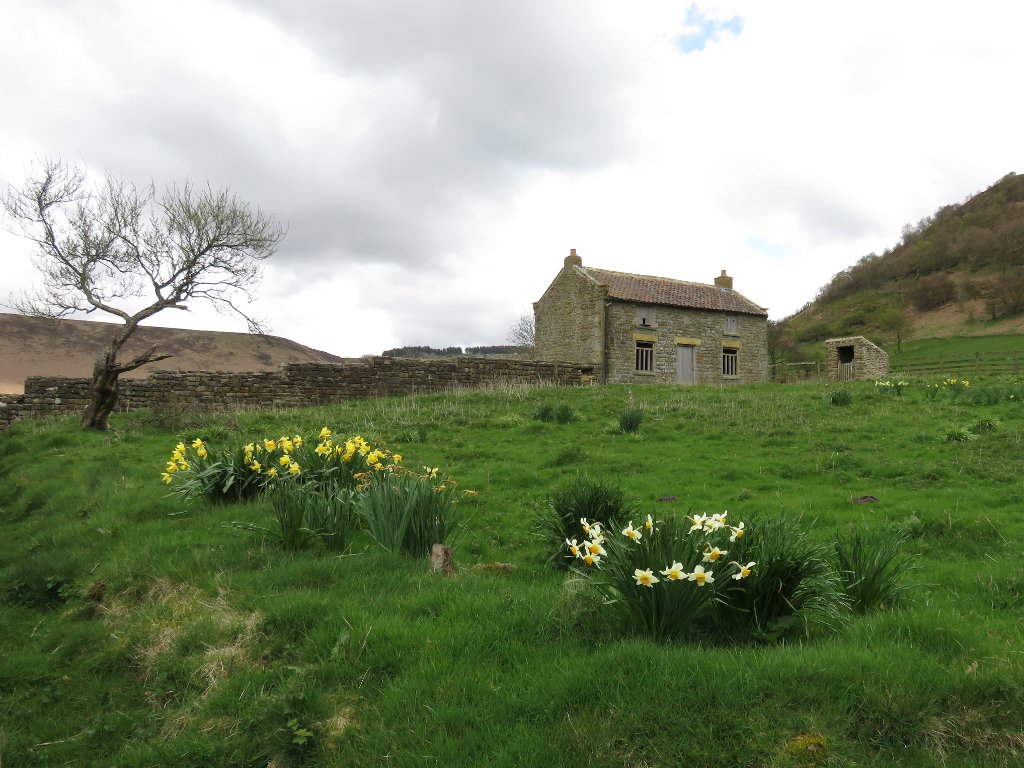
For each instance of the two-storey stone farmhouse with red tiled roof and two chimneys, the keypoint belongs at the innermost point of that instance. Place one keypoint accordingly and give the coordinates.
(638, 329)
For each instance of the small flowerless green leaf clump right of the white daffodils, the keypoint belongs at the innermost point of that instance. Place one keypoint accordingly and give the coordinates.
(871, 572)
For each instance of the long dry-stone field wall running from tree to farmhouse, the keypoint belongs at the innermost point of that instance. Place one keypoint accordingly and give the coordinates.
(294, 386)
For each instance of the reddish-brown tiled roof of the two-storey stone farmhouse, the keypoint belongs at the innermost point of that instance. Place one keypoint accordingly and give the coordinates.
(645, 289)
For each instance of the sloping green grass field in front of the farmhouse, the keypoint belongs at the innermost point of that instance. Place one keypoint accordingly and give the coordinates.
(141, 631)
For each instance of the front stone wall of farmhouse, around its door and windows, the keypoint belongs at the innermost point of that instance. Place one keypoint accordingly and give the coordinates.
(676, 326)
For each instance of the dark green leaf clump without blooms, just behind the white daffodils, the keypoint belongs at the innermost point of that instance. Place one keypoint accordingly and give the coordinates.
(584, 499)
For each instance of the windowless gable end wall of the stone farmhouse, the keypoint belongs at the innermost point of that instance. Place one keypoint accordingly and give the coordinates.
(569, 320)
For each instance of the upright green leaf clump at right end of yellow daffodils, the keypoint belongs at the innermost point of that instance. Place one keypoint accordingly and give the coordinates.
(407, 513)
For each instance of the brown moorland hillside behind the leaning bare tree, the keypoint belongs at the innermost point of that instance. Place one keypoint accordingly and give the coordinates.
(31, 347)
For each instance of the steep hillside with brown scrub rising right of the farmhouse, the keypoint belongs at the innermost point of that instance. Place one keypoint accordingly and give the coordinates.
(958, 273)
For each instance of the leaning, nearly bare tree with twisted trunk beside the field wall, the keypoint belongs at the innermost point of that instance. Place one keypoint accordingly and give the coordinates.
(130, 253)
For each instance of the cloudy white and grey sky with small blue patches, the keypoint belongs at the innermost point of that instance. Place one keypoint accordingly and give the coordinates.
(435, 162)
